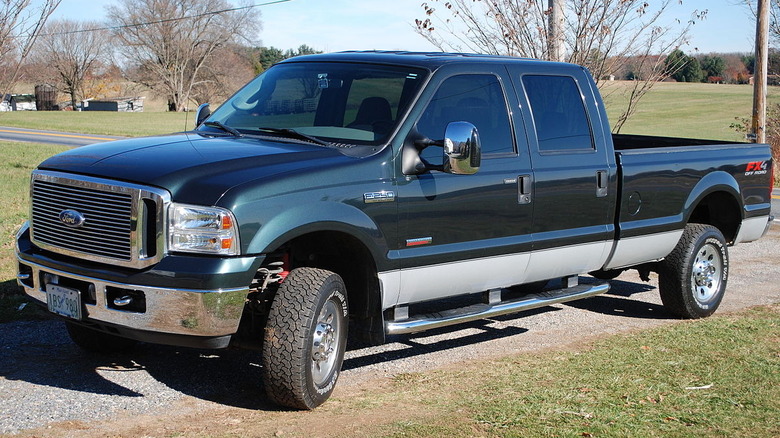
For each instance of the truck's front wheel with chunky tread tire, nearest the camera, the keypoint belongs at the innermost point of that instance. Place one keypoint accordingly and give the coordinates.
(305, 338)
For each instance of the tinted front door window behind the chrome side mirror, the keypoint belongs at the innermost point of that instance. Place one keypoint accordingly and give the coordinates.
(478, 99)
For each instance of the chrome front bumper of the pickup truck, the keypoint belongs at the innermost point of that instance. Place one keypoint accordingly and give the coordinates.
(175, 311)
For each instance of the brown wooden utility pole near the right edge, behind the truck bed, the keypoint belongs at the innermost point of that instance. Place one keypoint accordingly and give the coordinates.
(758, 127)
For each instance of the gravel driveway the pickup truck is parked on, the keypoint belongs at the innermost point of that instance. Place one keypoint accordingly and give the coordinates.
(49, 388)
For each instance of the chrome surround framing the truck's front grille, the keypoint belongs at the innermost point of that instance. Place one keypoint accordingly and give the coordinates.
(138, 253)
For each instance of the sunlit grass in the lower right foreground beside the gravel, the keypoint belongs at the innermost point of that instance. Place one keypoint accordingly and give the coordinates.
(714, 377)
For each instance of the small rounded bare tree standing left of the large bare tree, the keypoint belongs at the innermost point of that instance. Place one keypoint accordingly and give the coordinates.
(72, 49)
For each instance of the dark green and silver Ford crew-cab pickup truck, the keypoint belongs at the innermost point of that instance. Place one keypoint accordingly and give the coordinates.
(378, 193)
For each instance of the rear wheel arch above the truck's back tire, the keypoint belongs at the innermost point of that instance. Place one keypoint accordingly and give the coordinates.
(716, 201)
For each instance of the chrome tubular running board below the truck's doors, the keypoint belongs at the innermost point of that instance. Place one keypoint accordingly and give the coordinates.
(418, 323)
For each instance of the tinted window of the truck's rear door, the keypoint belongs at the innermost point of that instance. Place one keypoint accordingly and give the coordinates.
(558, 112)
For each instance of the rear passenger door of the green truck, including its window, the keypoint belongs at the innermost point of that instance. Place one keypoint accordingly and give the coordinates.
(574, 188)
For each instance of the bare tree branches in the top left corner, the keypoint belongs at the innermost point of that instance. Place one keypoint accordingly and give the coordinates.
(21, 22)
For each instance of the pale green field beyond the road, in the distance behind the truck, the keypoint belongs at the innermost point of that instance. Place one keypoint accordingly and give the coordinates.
(691, 110)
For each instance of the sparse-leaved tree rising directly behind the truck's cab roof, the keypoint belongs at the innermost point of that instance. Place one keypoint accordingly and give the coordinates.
(602, 35)
